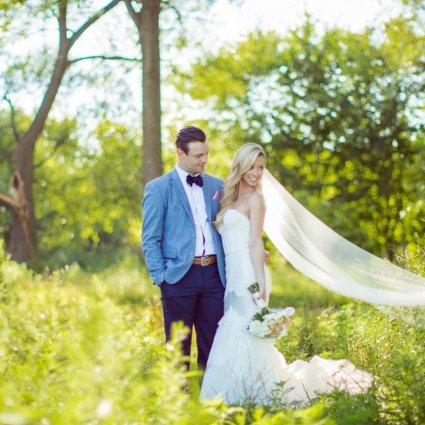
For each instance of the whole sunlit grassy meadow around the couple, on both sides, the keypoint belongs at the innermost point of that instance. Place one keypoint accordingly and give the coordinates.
(87, 348)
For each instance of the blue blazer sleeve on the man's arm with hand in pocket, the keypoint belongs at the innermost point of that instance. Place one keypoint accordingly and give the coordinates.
(153, 208)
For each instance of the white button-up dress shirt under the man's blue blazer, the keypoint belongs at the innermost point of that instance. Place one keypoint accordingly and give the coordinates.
(196, 199)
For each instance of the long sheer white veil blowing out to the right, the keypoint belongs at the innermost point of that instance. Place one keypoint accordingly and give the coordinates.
(332, 261)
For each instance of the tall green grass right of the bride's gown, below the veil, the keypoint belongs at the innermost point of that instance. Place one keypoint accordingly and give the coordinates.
(390, 348)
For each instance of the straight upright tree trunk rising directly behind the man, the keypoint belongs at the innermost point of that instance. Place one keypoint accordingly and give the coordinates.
(149, 40)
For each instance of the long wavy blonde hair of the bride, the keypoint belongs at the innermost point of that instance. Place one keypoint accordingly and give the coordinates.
(242, 162)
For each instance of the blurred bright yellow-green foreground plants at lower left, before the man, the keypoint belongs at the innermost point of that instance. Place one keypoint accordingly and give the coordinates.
(74, 356)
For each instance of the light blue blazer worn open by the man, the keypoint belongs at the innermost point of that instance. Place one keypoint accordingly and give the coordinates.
(168, 231)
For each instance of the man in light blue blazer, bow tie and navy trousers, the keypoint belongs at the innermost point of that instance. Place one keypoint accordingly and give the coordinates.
(182, 248)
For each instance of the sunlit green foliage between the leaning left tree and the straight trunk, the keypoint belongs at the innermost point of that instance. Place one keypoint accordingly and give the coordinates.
(88, 195)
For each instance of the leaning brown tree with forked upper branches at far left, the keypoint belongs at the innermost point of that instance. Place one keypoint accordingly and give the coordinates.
(23, 238)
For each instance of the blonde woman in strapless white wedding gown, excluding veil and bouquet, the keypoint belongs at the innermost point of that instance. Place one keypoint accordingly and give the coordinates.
(241, 366)
